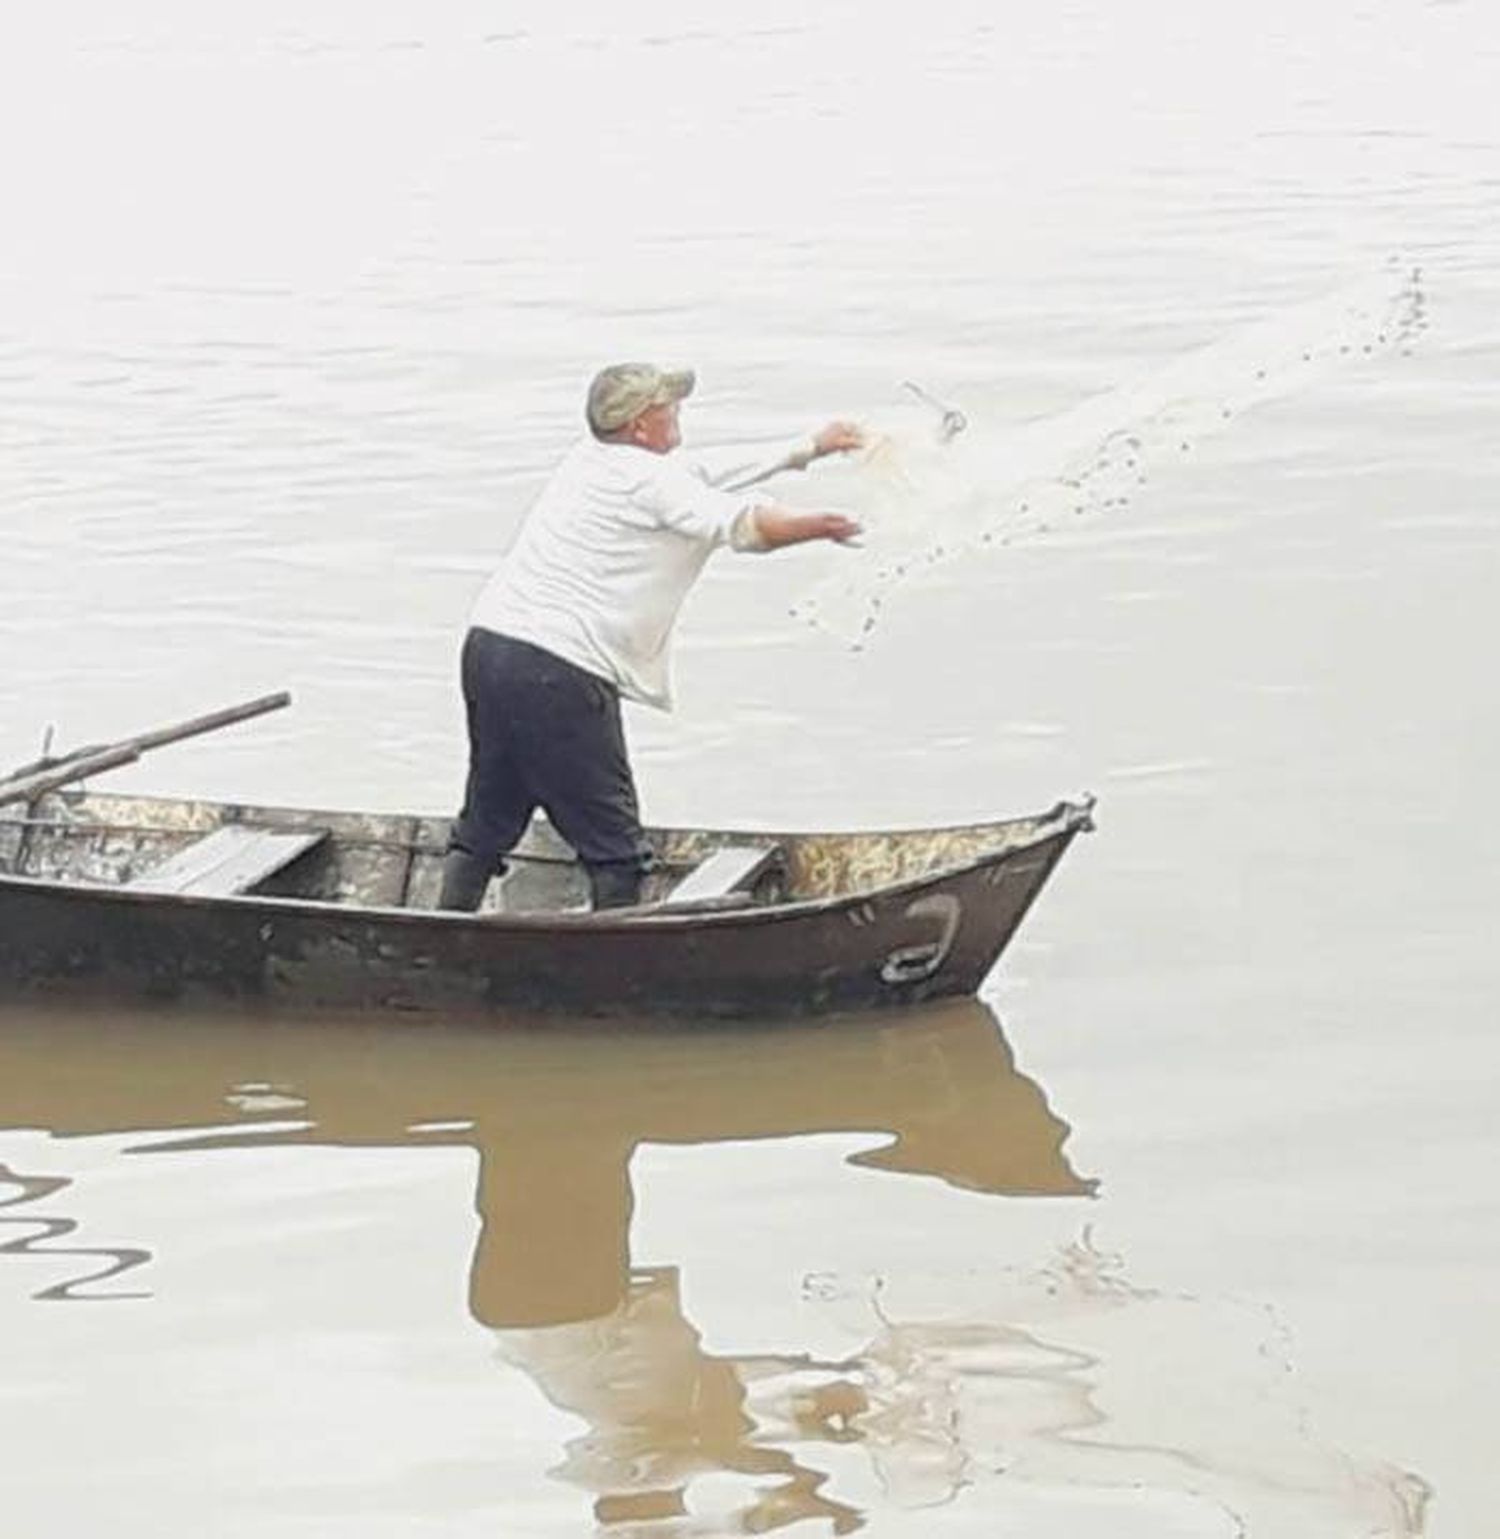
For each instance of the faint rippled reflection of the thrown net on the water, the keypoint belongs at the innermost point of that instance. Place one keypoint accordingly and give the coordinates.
(1087, 1404)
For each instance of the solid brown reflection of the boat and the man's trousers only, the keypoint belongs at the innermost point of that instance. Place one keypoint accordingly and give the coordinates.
(553, 1118)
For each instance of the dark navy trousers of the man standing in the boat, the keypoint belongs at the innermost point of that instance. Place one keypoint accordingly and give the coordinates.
(544, 733)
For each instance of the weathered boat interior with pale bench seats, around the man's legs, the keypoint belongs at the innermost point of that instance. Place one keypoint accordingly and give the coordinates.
(195, 849)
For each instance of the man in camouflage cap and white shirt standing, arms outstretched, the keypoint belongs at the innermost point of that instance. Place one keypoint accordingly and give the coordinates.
(582, 613)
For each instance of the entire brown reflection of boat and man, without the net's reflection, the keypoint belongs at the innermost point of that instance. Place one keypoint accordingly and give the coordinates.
(555, 1118)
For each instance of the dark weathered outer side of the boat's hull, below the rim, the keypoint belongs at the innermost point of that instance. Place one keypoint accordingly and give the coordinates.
(916, 943)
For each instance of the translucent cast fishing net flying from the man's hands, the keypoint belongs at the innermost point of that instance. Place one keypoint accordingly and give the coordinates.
(938, 493)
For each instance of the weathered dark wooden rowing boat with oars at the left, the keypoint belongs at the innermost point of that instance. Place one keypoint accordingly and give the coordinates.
(161, 900)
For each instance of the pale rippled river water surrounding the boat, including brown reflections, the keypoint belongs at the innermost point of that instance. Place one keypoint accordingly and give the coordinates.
(1185, 1227)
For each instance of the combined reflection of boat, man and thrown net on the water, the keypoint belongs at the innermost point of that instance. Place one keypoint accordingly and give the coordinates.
(1085, 1404)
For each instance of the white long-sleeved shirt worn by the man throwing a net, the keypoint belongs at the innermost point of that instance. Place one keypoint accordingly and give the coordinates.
(608, 552)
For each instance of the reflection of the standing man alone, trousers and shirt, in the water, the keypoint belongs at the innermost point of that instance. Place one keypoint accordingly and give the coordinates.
(553, 1278)
